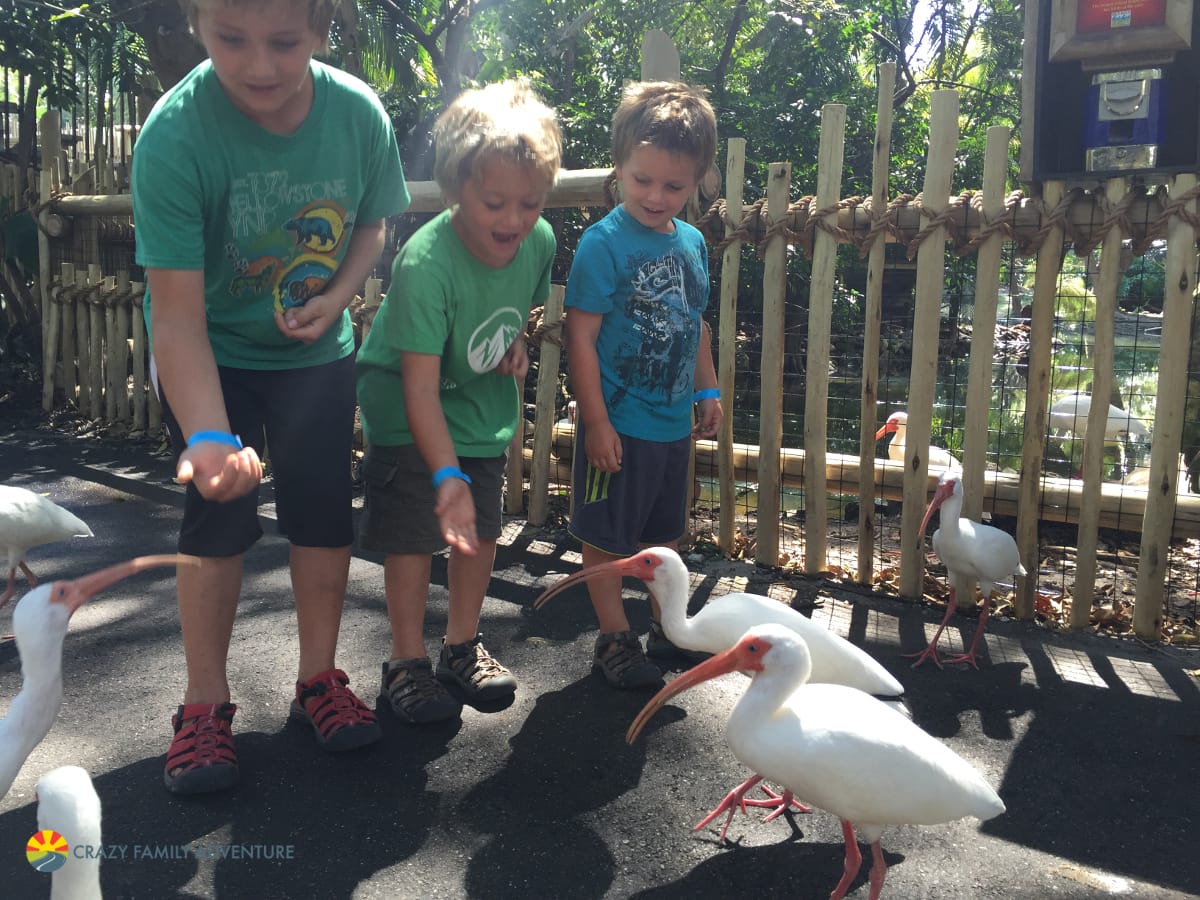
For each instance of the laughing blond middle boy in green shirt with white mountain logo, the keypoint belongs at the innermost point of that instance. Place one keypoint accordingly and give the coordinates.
(448, 341)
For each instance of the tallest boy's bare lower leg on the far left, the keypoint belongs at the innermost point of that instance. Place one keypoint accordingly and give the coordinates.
(208, 604)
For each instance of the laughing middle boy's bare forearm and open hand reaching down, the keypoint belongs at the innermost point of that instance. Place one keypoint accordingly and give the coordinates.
(455, 507)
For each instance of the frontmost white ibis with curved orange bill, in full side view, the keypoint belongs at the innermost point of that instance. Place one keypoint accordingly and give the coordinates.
(843, 751)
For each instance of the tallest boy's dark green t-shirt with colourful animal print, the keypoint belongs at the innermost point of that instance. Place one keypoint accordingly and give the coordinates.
(266, 217)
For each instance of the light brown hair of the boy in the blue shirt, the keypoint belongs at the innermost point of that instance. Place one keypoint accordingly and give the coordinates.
(669, 116)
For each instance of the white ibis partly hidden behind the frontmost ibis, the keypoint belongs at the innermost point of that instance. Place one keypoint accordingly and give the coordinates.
(719, 626)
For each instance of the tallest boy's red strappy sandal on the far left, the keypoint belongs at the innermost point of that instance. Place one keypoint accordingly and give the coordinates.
(202, 758)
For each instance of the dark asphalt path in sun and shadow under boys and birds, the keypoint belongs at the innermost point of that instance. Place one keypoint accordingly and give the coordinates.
(1094, 743)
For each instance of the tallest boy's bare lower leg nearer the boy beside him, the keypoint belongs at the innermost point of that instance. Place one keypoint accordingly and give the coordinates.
(319, 583)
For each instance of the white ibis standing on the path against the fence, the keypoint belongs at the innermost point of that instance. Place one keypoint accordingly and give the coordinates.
(968, 550)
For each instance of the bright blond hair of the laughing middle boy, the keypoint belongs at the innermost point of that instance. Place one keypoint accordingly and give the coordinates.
(506, 121)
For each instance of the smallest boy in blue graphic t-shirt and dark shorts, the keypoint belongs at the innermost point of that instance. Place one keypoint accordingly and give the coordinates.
(637, 293)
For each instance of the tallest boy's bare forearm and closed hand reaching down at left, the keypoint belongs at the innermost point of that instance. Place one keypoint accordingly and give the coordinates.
(188, 374)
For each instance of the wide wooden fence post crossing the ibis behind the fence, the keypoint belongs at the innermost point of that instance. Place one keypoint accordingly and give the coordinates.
(944, 136)
